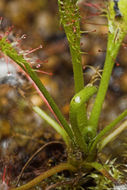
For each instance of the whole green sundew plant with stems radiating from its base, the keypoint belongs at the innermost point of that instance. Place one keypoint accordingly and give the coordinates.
(80, 133)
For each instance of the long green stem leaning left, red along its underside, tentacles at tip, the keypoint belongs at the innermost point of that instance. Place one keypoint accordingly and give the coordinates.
(8, 50)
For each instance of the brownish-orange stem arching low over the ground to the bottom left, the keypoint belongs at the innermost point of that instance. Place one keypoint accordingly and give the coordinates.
(48, 173)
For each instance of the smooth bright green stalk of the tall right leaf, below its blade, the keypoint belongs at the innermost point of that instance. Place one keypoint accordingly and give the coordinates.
(112, 51)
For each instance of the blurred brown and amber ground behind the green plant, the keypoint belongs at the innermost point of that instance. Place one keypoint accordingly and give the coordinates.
(37, 23)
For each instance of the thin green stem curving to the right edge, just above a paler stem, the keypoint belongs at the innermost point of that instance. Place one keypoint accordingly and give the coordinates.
(102, 133)
